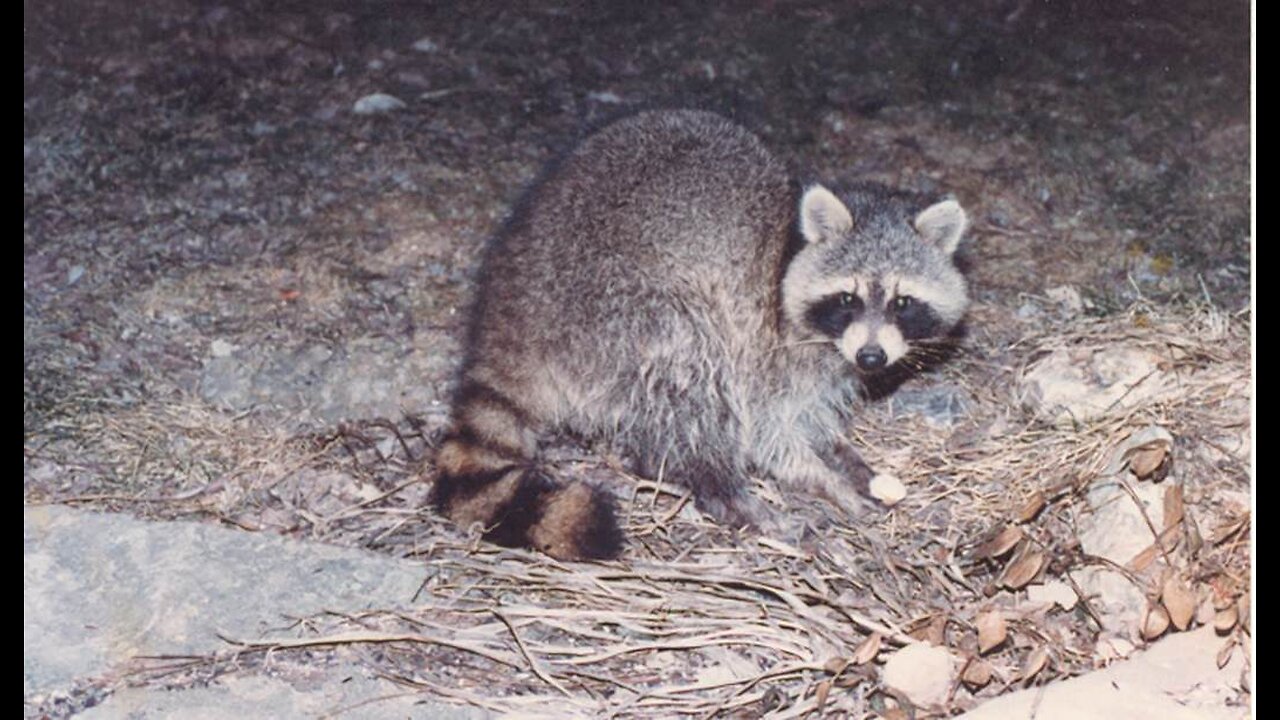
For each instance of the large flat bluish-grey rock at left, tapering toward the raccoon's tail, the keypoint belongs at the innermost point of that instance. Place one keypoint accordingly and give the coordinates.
(100, 589)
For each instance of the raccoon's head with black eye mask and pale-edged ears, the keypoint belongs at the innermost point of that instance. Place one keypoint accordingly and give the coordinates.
(877, 282)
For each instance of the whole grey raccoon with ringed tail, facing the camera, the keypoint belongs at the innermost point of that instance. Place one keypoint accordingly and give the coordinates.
(670, 288)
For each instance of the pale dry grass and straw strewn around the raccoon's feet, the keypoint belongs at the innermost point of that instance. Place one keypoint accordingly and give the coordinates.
(694, 622)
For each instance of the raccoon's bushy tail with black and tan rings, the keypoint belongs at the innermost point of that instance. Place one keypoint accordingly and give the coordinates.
(488, 476)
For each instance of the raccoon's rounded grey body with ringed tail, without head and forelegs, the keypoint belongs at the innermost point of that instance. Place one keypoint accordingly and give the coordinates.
(633, 295)
